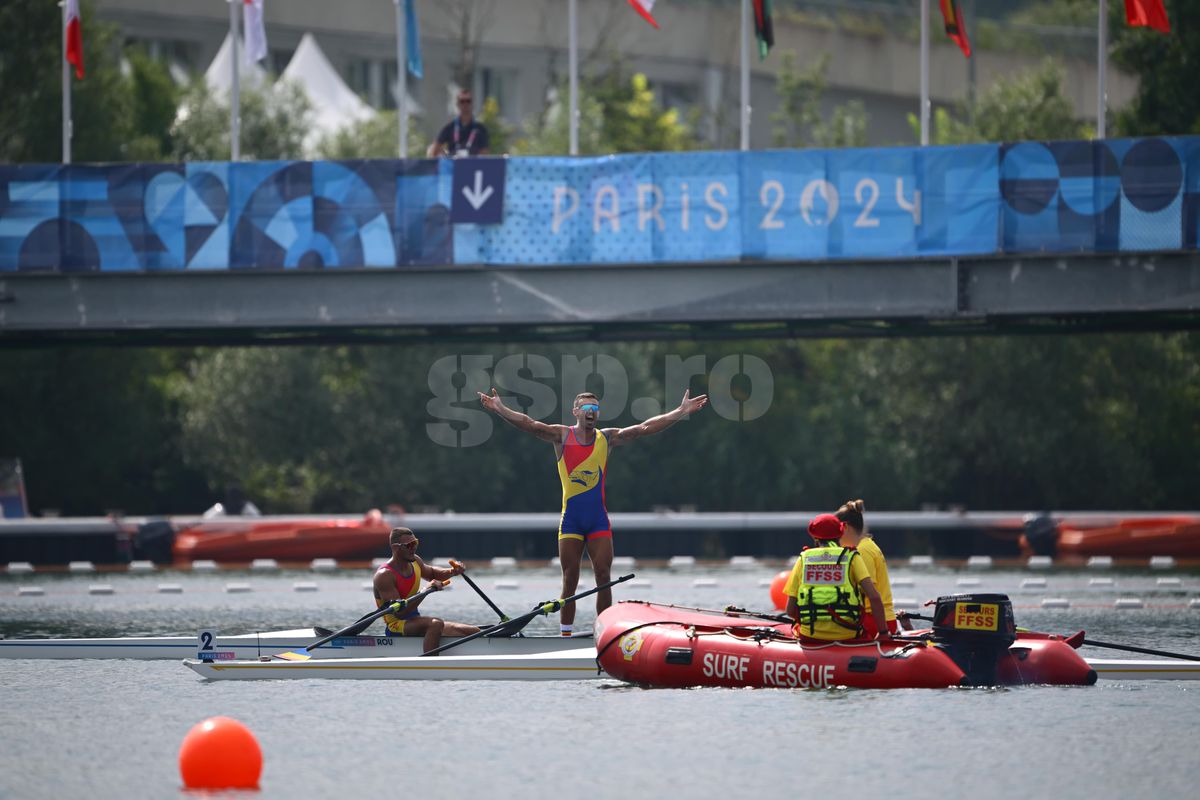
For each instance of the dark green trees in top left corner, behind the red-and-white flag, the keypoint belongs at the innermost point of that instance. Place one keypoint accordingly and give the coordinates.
(112, 121)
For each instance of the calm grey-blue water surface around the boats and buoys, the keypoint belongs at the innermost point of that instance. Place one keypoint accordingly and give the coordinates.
(113, 730)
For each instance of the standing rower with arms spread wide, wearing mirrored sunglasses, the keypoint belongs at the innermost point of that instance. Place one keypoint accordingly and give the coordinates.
(583, 455)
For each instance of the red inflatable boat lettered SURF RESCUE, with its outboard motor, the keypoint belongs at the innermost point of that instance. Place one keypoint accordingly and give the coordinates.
(974, 643)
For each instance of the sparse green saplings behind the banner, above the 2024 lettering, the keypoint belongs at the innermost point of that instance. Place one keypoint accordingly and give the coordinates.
(799, 121)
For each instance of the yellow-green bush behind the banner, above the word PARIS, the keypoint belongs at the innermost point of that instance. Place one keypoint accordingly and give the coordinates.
(617, 115)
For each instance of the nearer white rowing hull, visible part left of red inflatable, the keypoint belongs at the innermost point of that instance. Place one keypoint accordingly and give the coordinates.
(565, 665)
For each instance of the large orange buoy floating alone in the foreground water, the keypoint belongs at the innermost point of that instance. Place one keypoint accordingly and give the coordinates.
(220, 754)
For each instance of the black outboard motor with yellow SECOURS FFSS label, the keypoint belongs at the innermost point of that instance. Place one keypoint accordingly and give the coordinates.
(975, 631)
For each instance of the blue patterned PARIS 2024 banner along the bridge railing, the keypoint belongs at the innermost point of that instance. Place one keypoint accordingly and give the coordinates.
(806, 206)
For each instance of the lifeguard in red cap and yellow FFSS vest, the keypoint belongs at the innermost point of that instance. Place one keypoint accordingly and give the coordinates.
(826, 590)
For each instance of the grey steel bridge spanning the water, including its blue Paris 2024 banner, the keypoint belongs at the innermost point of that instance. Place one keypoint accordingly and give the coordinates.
(1030, 237)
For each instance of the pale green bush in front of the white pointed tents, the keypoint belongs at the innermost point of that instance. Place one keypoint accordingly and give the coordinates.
(274, 124)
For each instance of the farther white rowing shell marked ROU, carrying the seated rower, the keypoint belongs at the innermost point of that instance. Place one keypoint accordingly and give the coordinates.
(209, 646)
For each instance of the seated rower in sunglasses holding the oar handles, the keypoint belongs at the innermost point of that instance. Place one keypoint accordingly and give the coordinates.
(401, 579)
